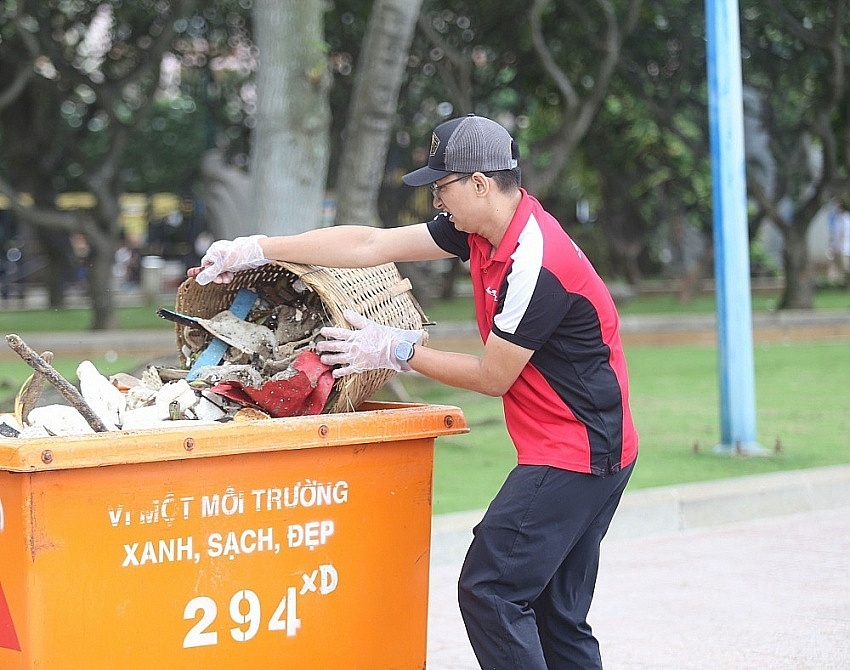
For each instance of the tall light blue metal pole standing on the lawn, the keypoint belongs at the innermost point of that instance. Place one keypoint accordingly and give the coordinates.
(731, 239)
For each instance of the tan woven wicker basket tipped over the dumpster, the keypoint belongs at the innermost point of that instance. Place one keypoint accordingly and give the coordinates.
(379, 293)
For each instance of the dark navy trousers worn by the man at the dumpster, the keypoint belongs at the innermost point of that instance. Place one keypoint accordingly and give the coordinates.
(527, 582)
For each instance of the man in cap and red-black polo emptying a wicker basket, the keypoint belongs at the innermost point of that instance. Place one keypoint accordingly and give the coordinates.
(553, 353)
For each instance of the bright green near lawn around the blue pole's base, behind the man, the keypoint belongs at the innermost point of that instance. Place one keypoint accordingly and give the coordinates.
(801, 402)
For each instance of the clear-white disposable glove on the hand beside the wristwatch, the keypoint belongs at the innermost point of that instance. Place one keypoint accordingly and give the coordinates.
(369, 346)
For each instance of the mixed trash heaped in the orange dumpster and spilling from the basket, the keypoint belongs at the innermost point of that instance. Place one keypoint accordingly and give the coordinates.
(255, 360)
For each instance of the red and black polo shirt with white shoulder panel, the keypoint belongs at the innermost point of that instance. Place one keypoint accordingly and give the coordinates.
(569, 408)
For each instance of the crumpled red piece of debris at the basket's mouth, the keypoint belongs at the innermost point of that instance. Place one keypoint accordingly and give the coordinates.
(305, 392)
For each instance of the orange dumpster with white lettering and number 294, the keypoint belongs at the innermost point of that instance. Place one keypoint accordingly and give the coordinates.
(283, 543)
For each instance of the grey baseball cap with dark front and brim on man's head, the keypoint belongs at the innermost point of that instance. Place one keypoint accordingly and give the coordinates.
(465, 145)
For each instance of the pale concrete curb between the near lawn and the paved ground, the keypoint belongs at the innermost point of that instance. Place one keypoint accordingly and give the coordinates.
(672, 509)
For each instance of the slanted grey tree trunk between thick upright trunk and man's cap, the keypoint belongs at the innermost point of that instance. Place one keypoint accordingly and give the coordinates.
(373, 106)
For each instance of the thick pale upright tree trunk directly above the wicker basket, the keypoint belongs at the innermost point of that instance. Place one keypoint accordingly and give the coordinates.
(290, 151)
